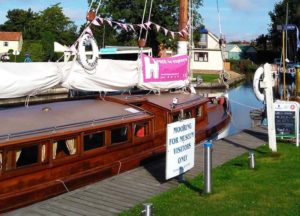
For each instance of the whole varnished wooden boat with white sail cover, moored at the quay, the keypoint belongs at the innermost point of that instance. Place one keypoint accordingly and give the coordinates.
(52, 148)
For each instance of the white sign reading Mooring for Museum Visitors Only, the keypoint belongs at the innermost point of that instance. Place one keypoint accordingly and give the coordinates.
(180, 147)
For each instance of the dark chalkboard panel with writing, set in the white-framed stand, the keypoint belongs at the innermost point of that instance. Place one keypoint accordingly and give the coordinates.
(285, 124)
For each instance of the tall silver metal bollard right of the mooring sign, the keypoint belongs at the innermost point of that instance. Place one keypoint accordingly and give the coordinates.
(207, 167)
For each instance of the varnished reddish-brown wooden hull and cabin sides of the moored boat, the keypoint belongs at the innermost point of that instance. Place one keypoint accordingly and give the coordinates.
(29, 184)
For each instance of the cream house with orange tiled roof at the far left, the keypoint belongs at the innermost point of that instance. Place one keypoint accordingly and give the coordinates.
(11, 41)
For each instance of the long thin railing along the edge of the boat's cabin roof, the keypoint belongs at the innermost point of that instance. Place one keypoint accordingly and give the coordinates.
(66, 126)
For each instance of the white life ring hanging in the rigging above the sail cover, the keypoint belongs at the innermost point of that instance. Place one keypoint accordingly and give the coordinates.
(88, 63)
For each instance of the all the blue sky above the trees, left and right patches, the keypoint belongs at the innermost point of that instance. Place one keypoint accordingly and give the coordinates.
(240, 19)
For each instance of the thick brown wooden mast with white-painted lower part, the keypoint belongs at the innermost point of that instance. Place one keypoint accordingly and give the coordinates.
(183, 19)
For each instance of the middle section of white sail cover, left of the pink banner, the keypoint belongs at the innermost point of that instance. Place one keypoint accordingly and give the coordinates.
(109, 75)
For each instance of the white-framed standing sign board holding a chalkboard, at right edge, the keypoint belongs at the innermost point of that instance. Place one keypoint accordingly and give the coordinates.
(287, 119)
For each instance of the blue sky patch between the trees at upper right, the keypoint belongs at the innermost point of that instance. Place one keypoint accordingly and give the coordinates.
(240, 19)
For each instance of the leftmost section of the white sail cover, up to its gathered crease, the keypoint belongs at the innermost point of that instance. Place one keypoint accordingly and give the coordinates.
(23, 79)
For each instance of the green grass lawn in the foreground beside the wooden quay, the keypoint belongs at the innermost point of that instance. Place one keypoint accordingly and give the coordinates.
(273, 188)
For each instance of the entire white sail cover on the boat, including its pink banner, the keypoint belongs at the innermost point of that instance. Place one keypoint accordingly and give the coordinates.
(27, 79)
